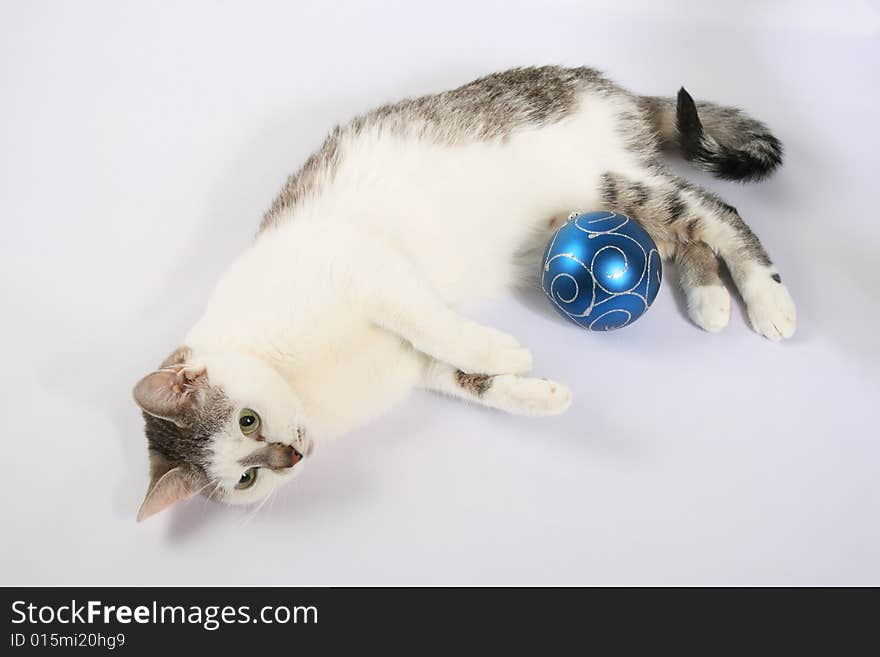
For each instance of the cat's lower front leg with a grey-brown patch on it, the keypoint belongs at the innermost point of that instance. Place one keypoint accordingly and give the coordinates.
(508, 392)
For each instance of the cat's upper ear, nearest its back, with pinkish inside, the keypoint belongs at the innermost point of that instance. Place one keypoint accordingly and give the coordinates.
(172, 393)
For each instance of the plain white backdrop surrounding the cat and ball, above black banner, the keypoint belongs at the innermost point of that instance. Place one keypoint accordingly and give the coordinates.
(139, 145)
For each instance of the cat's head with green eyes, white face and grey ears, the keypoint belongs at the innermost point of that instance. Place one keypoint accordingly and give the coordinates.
(226, 424)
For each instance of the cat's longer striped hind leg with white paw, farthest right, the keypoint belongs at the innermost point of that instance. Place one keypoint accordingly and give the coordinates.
(674, 210)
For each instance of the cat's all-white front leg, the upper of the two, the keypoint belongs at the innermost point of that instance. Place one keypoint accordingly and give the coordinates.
(399, 300)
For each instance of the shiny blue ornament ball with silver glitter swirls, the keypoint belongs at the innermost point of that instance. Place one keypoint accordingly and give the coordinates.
(601, 270)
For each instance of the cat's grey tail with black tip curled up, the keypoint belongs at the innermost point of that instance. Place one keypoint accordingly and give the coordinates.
(724, 141)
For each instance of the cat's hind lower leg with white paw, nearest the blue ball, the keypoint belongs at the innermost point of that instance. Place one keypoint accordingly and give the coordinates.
(708, 301)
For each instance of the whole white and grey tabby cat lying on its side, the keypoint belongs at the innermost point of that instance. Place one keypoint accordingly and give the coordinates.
(345, 300)
